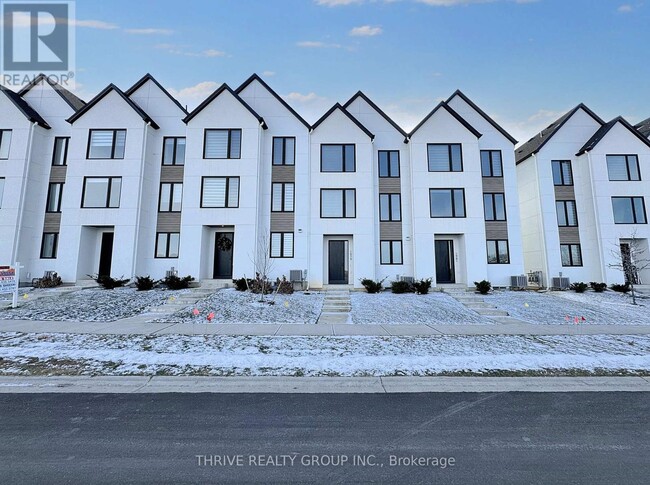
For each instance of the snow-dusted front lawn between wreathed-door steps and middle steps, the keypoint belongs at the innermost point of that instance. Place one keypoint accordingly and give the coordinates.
(232, 306)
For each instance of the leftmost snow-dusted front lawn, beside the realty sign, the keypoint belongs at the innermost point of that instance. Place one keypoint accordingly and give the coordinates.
(92, 305)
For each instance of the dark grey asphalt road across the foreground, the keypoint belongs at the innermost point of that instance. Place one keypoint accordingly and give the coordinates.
(501, 438)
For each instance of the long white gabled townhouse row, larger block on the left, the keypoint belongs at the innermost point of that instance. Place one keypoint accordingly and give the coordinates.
(130, 184)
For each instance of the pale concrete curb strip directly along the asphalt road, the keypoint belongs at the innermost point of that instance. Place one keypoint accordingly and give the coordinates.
(159, 384)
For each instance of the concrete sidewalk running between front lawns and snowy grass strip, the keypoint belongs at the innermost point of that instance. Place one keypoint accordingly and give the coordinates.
(140, 325)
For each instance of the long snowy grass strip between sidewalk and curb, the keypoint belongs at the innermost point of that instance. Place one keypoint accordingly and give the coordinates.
(22, 354)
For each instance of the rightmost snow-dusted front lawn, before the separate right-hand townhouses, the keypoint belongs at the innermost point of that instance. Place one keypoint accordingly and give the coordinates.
(609, 308)
